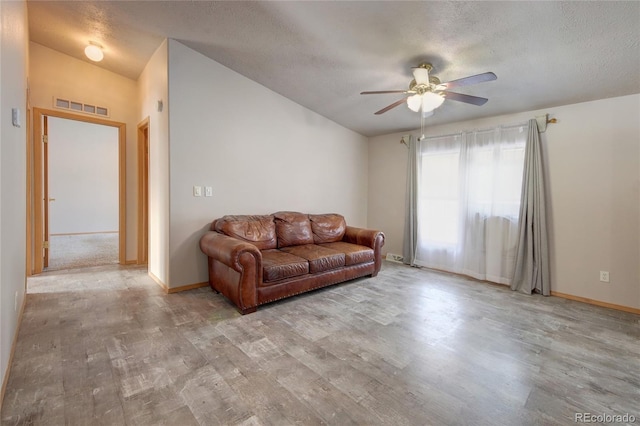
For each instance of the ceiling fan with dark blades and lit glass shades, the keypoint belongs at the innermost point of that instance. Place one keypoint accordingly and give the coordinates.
(426, 93)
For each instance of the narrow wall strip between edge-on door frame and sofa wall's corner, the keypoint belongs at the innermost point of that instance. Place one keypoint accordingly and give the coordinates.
(152, 87)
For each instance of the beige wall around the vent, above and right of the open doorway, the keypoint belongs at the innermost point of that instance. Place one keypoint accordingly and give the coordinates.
(52, 73)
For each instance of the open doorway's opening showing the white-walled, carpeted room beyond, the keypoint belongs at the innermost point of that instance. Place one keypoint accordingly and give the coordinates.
(82, 187)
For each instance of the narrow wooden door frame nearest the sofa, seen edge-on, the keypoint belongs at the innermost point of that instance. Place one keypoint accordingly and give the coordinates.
(143, 192)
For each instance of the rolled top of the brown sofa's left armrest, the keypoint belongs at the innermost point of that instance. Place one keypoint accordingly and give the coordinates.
(228, 250)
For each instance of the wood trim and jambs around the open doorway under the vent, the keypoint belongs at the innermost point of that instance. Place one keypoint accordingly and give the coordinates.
(38, 187)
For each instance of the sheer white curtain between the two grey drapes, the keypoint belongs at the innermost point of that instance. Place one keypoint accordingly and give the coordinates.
(469, 187)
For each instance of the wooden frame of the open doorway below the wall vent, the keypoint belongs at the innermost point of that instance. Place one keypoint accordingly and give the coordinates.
(35, 179)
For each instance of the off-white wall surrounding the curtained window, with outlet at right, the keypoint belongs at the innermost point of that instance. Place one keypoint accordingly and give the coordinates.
(592, 158)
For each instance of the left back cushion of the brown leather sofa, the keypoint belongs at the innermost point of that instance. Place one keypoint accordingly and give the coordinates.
(257, 230)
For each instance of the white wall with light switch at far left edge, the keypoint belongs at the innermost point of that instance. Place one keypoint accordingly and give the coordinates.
(13, 89)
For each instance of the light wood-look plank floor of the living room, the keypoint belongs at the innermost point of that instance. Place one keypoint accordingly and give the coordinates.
(106, 346)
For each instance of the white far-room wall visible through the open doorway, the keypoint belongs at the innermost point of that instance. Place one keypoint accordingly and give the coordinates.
(83, 177)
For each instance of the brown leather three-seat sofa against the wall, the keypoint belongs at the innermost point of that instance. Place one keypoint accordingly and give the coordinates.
(255, 260)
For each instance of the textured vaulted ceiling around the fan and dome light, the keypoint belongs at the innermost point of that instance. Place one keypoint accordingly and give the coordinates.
(323, 54)
